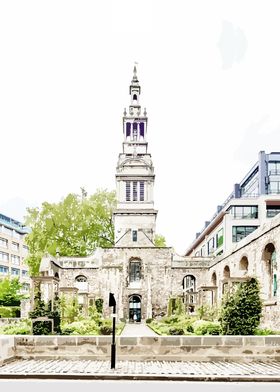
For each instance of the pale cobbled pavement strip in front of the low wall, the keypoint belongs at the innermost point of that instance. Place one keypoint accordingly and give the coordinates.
(229, 371)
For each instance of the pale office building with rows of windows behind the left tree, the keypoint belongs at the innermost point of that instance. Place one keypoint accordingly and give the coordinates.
(13, 251)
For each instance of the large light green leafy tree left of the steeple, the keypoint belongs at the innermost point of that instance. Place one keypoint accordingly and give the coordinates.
(75, 226)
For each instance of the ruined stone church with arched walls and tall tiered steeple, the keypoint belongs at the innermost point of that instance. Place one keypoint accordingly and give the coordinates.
(144, 277)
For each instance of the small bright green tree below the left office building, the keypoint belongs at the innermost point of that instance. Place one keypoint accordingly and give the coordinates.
(10, 292)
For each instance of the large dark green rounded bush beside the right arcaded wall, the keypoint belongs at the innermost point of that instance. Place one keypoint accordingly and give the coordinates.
(241, 309)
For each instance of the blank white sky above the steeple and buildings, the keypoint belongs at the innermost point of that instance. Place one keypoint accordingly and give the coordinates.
(209, 72)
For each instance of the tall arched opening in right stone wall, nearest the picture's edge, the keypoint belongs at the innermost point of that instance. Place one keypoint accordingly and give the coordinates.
(270, 270)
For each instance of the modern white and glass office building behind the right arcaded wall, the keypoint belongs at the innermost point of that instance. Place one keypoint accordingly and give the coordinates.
(253, 201)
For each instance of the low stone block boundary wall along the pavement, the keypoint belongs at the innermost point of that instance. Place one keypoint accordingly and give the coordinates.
(176, 348)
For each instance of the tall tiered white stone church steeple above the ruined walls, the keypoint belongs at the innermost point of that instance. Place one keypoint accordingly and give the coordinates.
(135, 216)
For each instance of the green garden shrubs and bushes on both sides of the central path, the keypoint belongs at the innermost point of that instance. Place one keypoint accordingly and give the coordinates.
(238, 314)
